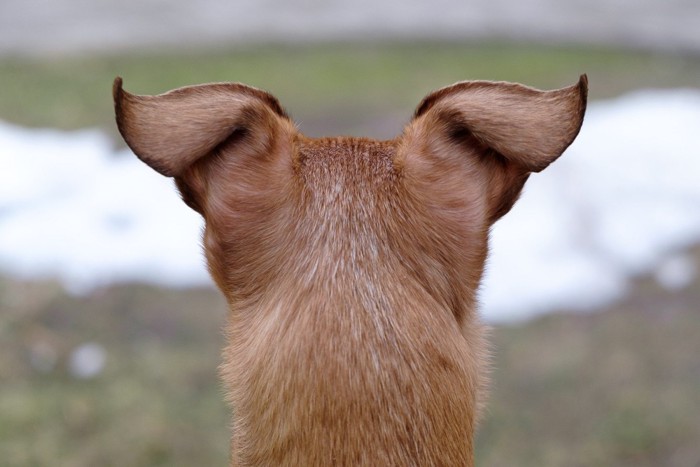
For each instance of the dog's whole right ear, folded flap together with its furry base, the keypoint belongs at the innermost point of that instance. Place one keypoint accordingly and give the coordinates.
(480, 140)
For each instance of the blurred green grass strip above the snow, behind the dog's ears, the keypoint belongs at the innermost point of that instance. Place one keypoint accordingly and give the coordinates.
(349, 88)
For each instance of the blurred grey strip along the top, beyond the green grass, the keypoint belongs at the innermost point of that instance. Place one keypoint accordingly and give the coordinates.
(69, 26)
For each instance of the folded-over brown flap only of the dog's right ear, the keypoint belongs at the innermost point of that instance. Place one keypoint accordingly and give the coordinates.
(528, 127)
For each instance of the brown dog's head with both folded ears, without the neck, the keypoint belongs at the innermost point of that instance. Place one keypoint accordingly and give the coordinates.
(280, 208)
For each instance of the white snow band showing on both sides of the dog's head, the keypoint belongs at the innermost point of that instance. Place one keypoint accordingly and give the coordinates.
(623, 200)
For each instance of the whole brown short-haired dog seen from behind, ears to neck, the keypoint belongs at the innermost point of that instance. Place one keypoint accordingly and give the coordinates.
(350, 265)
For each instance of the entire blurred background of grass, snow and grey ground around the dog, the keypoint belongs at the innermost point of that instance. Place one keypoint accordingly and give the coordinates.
(110, 329)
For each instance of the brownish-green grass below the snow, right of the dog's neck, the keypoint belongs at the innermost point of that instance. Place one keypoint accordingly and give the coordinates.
(620, 387)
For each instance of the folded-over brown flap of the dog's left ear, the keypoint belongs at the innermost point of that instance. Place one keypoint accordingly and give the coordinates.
(171, 131)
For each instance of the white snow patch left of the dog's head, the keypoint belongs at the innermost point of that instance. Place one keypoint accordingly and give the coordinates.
(71, 207)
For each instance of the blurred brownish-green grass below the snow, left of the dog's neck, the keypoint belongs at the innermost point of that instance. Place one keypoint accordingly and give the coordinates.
(158, 401)
